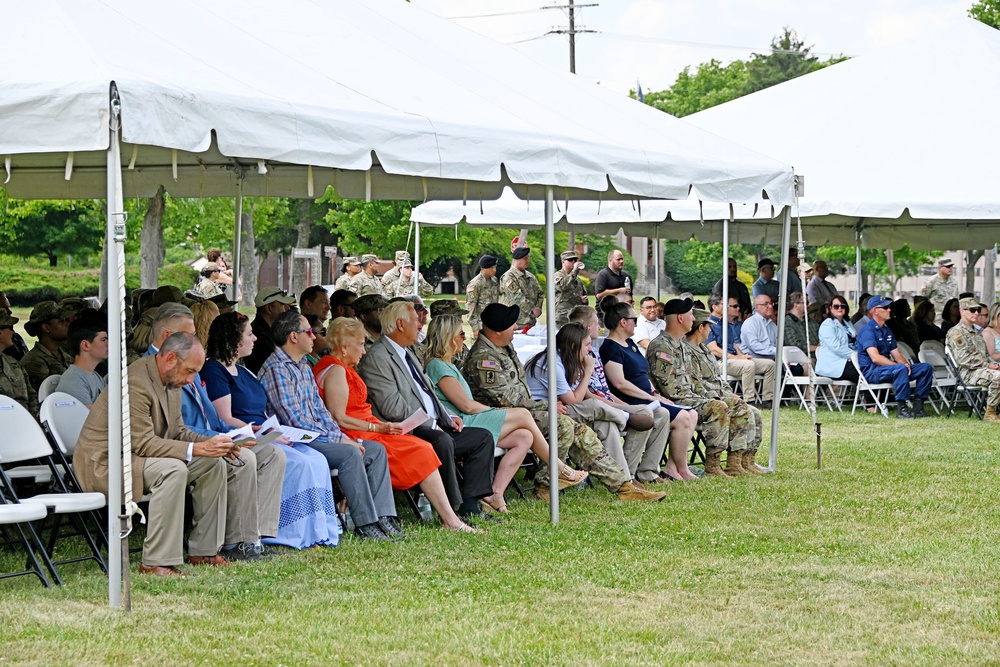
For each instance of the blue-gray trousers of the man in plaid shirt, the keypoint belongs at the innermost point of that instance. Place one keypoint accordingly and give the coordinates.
(365, 479)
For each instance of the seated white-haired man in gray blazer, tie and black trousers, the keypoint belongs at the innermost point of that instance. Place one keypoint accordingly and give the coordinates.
(398, 387)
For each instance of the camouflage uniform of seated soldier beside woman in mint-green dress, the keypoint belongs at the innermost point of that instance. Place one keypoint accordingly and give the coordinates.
(497, 379)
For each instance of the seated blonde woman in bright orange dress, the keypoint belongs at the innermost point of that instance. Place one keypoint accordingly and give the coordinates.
(412, 461)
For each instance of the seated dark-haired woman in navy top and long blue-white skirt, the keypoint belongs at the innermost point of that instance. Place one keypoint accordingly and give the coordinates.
(308, 513)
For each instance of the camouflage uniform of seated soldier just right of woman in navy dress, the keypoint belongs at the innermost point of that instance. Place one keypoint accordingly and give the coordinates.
(671, 369)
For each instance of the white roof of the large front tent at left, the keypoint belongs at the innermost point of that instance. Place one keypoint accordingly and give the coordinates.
(369, 93)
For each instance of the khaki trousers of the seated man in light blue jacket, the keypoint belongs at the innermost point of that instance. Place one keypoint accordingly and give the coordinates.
(253, 494)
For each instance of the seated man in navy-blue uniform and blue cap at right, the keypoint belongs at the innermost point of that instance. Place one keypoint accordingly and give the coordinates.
(881, 361)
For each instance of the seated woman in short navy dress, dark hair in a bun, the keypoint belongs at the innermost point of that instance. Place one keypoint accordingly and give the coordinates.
(628, 375)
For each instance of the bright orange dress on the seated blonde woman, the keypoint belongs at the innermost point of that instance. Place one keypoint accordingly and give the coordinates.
(410, 458)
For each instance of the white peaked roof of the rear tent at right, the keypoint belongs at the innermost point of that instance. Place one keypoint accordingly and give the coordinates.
(901, 141)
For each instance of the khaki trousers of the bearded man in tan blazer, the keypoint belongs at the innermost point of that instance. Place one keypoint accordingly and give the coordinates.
(166, 481)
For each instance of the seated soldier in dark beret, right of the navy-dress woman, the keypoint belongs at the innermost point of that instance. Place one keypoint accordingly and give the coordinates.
(671, 370)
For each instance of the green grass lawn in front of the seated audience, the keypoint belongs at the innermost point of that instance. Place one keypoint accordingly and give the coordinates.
(886, 556)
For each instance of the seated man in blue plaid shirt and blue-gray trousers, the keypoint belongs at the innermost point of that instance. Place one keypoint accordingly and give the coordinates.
(292, 395)
